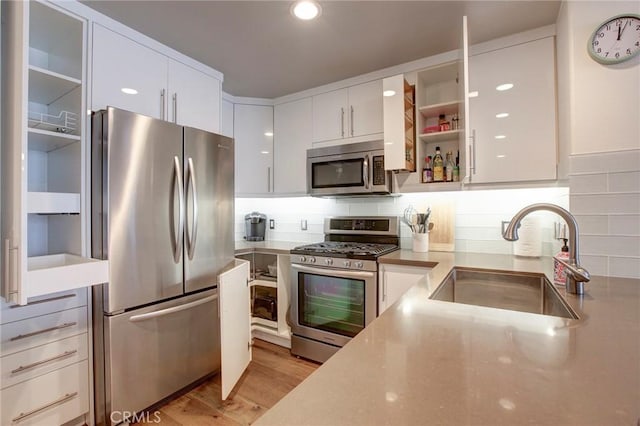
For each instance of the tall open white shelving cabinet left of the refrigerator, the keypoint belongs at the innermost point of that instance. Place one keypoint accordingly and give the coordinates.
(52, 253)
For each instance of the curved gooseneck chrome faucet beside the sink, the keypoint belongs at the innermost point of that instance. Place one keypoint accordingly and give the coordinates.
(576, 274)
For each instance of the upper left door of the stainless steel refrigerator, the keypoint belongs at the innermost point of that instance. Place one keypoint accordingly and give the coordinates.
(142, 187)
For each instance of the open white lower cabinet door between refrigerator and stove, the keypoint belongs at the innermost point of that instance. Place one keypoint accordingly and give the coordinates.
(235, 324)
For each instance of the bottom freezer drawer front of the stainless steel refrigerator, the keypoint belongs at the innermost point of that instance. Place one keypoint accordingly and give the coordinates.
(158, 350)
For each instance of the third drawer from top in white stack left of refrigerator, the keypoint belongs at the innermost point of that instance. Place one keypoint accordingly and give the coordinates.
(25, 365)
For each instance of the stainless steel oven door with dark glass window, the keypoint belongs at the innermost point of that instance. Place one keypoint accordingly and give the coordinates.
(331, 305)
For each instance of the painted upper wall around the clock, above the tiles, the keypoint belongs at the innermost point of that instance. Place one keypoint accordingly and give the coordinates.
(599, 104)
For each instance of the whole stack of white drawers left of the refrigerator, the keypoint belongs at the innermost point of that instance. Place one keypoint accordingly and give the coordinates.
(44, 366)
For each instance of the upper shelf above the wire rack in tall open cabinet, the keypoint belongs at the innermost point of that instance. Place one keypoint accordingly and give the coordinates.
(46, 86)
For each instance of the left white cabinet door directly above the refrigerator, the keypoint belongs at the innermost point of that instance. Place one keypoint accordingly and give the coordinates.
(121, 65)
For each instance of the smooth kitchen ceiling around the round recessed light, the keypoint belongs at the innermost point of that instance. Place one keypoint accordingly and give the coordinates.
(264, 52)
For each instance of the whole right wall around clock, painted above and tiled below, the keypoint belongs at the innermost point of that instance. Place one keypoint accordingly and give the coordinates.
(599, 116)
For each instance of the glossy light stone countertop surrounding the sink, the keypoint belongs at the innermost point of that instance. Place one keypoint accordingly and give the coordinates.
(430, 362)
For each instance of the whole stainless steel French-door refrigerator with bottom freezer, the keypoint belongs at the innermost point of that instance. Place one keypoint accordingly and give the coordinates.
(162, 214)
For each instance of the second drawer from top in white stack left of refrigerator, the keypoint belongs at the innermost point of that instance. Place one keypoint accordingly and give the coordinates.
(31, 332)
